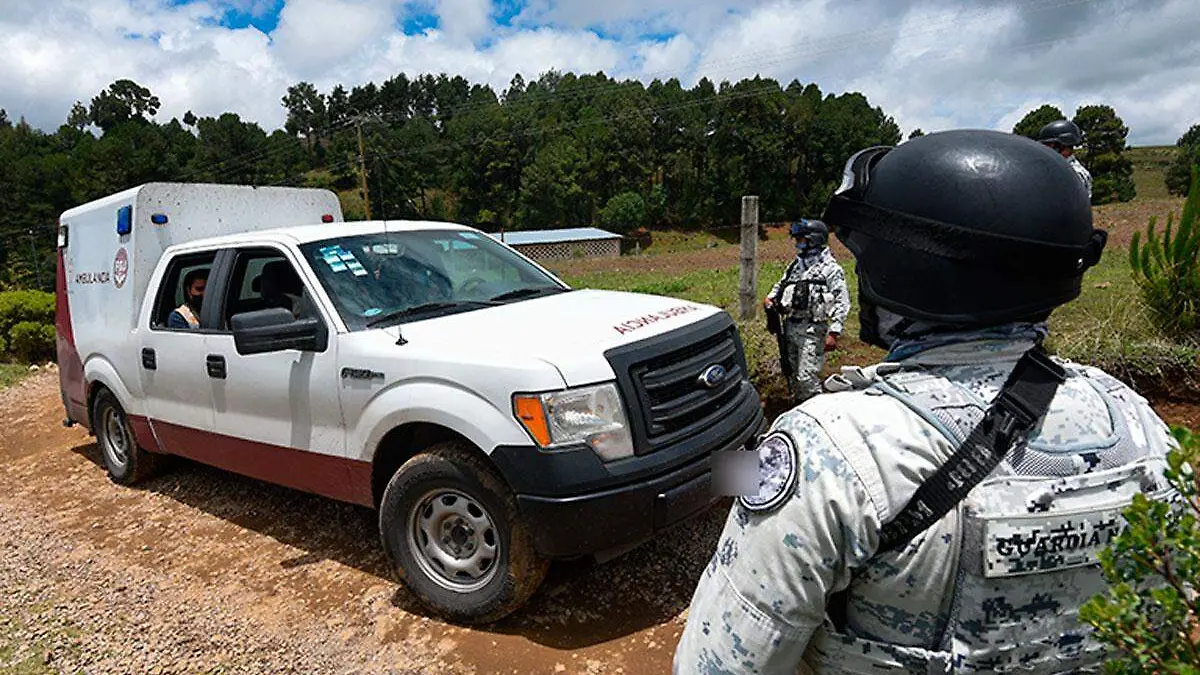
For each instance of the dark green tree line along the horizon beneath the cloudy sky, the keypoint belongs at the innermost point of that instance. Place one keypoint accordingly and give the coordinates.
(561, 151)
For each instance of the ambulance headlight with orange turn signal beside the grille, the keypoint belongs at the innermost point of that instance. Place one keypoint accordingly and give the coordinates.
(593, 416)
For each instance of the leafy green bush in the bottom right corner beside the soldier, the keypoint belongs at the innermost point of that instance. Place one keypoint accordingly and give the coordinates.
(1150, 614)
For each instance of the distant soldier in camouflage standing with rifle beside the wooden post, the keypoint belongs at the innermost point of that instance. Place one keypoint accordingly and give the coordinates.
(814, 302)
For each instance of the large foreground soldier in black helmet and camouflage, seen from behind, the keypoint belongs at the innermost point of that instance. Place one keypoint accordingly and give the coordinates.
(965, 244)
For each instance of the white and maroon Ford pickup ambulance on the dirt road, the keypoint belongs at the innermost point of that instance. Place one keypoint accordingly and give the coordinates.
(494, 416)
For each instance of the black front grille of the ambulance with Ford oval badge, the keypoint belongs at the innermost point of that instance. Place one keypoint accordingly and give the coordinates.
(664, 392)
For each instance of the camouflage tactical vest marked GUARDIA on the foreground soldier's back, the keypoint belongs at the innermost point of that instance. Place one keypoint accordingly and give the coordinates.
(1029, 541)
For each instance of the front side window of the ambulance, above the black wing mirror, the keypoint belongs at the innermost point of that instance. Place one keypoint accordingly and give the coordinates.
(265, 279)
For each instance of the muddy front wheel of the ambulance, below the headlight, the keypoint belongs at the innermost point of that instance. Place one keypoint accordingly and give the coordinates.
(452, 493)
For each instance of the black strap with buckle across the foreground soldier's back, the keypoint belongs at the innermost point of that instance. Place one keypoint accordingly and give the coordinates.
(1022, 403)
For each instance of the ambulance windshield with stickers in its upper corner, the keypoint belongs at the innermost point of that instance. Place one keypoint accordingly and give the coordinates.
(397, 277)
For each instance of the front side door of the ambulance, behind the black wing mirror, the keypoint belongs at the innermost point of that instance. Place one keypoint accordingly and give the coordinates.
(285, 401)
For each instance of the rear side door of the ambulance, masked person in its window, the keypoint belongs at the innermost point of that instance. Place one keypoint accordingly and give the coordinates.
(179, 398)
